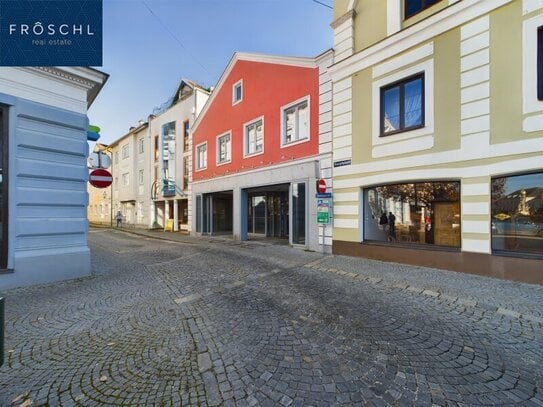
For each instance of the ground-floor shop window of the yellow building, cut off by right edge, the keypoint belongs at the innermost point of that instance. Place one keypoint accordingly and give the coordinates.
(517, 214)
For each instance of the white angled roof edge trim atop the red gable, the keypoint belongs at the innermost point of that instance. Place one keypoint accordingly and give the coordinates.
(302, 62)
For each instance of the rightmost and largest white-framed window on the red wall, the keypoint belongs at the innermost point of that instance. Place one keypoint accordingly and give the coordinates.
(295, 119)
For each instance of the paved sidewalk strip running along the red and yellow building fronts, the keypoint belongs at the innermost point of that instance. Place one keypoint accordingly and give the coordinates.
(516, 300)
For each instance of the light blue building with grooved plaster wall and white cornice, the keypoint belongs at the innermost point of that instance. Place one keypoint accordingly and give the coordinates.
(43, 172)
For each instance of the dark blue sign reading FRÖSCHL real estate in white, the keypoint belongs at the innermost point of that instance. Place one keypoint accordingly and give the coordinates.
(50, 32)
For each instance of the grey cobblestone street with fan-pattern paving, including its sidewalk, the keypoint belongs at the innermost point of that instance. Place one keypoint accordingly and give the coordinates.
(207, 322)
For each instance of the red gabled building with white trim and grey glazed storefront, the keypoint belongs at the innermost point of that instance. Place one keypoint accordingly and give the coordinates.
(259, 146)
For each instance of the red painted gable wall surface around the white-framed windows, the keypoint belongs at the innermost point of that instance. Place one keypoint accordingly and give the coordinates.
(266, 88)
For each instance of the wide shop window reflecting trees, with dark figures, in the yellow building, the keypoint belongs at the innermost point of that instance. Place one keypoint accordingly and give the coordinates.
(417, 213)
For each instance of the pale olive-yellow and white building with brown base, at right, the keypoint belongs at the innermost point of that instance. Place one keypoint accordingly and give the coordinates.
(438, 134)
